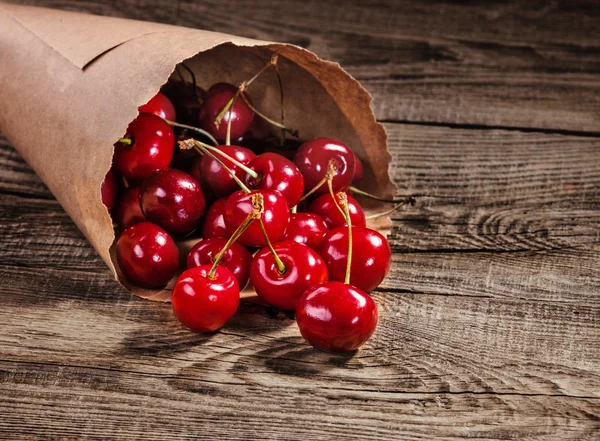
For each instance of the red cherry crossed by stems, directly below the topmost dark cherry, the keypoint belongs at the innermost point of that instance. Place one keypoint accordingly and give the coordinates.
(215, 177)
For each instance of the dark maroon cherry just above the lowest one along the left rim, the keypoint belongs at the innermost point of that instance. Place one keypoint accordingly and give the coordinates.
(172, 199)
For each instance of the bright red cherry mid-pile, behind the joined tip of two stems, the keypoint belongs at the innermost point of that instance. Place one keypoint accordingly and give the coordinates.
(275, 217)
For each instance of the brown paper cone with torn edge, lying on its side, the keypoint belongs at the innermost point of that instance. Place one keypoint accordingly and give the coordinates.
(70, 84)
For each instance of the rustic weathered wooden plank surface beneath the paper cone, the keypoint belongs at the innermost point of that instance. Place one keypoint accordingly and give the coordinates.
(490, 318)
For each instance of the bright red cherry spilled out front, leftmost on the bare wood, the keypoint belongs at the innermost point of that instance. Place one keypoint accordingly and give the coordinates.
(204, 302)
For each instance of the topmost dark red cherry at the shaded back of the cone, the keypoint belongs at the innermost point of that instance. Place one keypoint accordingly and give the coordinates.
(215, 101)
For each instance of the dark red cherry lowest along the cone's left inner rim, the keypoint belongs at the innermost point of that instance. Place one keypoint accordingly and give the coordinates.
(147, 255)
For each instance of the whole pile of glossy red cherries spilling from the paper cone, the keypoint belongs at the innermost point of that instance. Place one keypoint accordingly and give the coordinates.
(287, 226)
